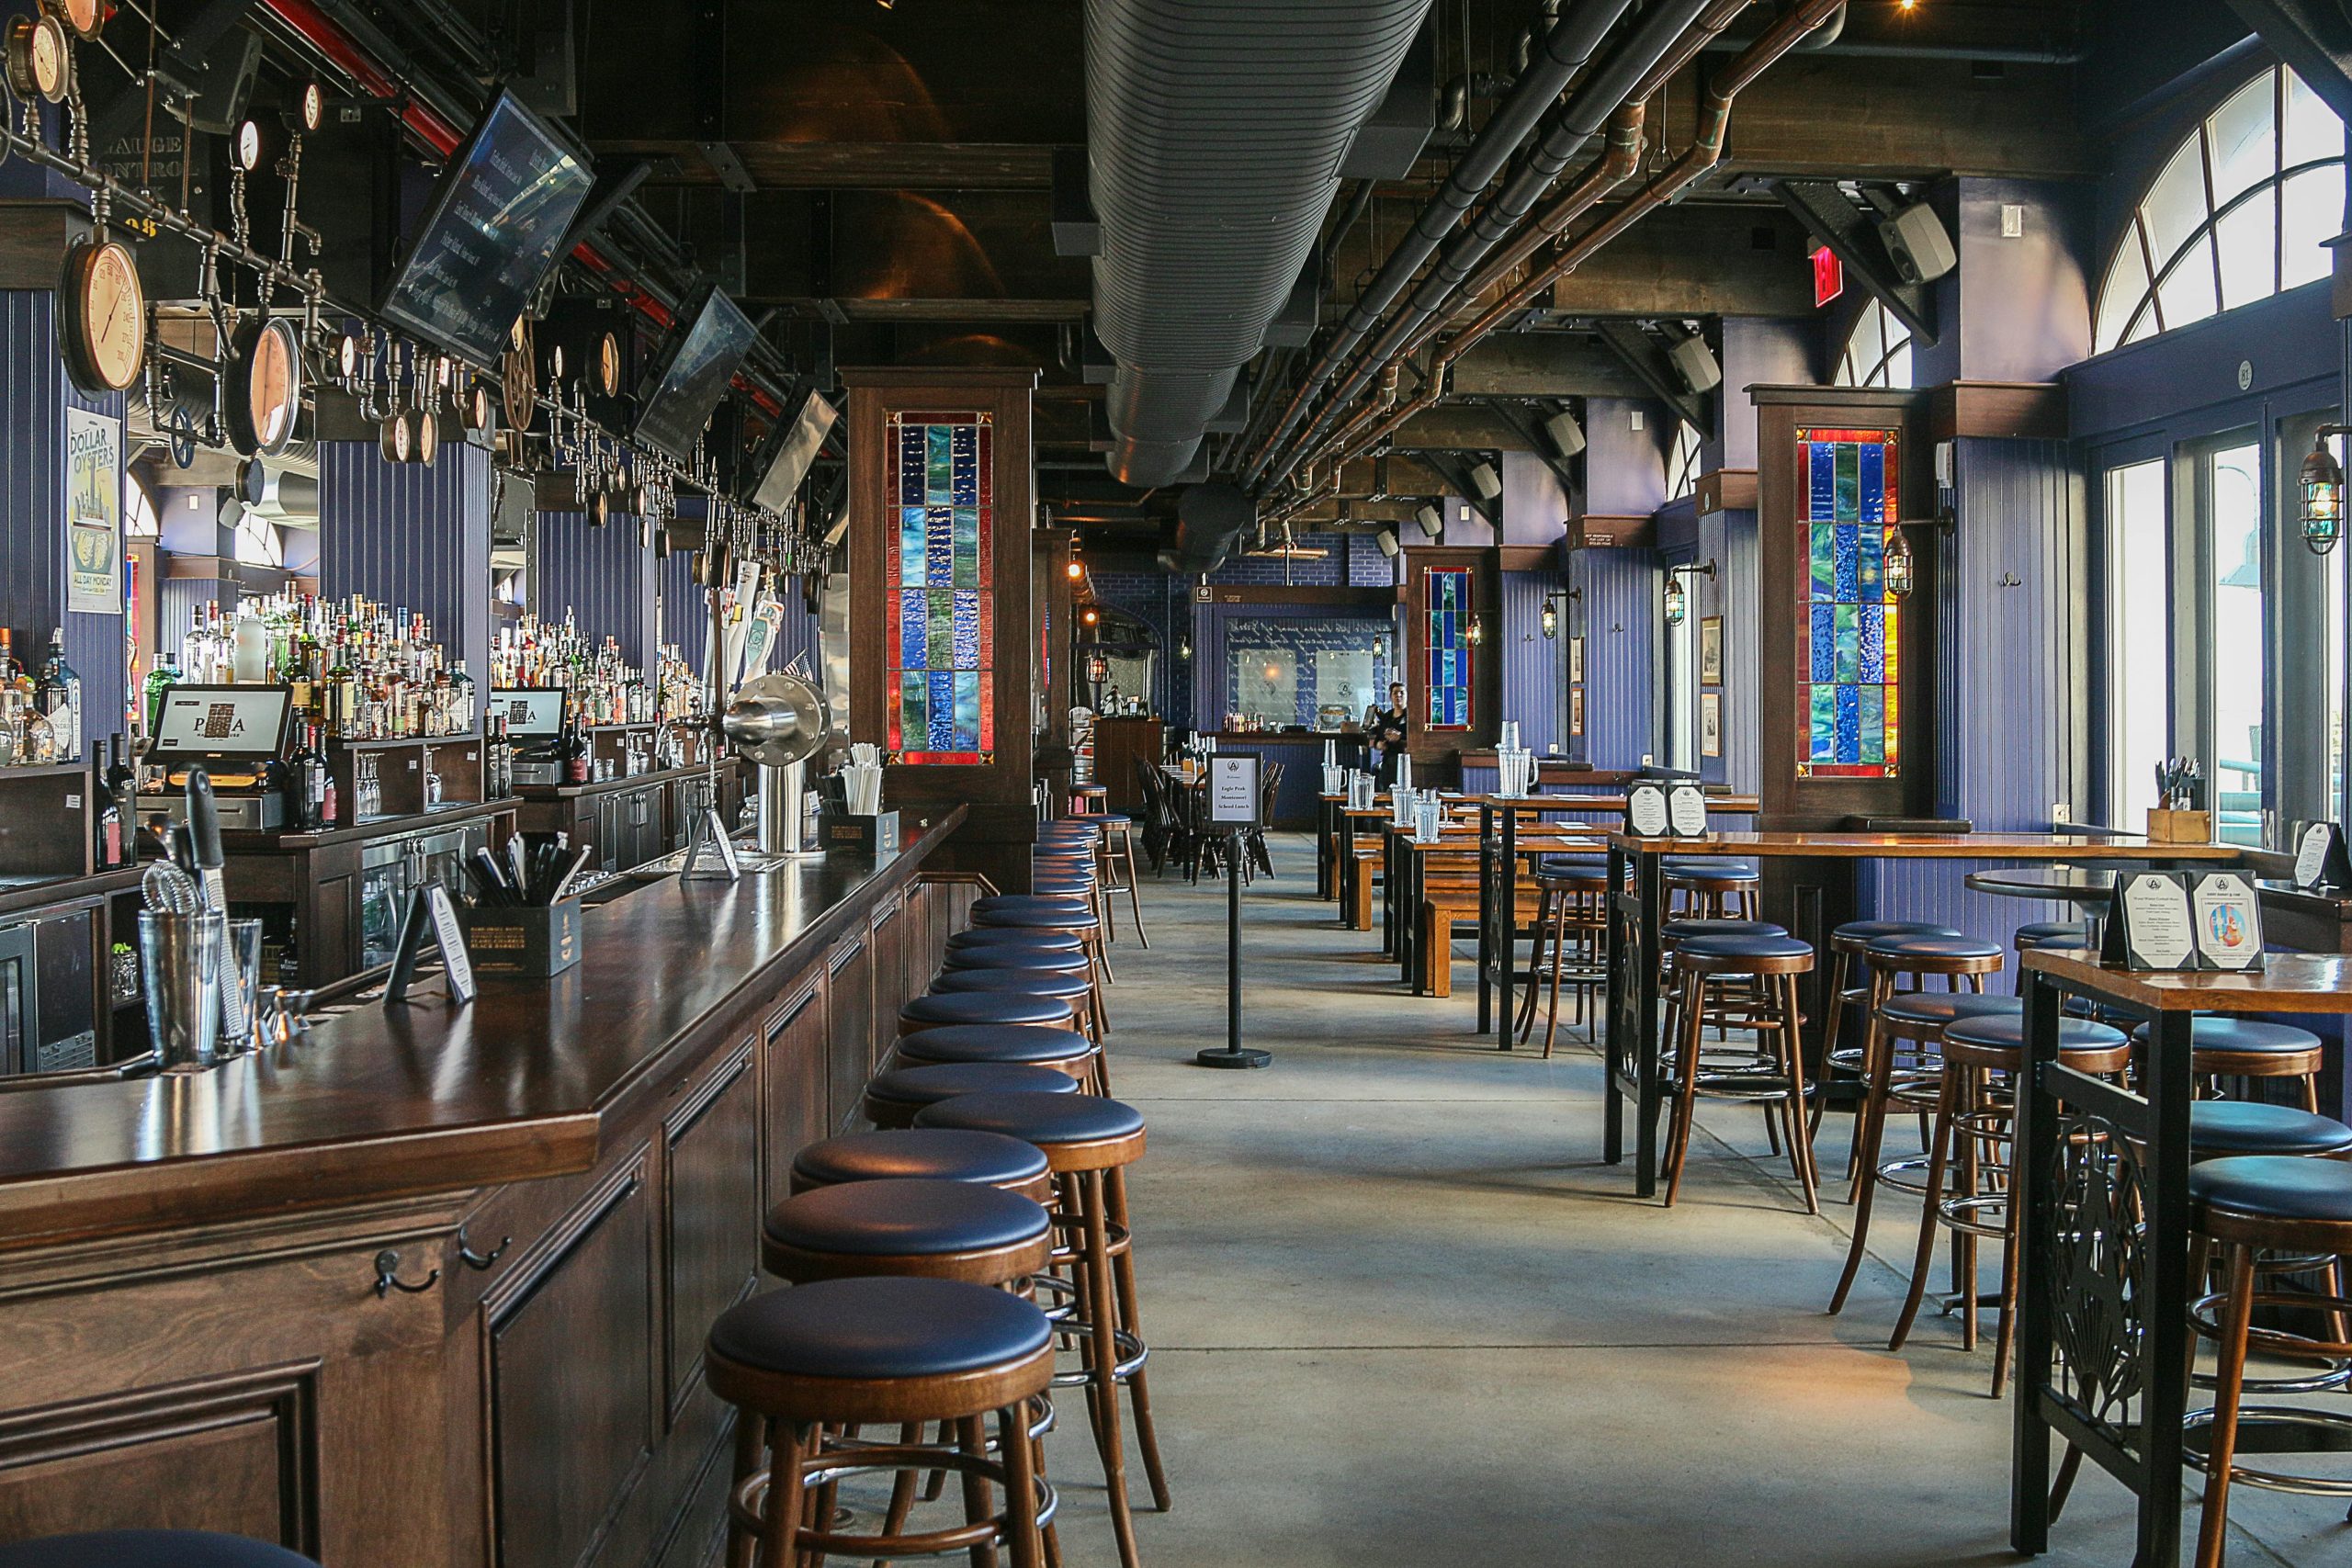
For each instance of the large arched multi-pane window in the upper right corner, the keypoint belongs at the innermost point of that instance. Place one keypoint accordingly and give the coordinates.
(2238, 213)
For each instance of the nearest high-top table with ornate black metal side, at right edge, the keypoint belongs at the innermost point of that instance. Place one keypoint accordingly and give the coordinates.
(2109, 1292)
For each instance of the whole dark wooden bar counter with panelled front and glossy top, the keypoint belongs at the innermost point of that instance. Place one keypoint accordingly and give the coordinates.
(429, 1287)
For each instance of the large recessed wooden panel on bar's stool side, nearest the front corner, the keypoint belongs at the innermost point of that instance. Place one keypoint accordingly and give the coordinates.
(573, 1381)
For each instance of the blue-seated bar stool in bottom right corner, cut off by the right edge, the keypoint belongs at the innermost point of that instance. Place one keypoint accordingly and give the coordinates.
(2245, 1207)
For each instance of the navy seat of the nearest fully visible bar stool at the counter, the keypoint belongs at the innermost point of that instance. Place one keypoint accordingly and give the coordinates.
(881, 1329)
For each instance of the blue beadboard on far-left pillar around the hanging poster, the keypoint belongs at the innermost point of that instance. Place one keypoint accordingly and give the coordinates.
(34, 401)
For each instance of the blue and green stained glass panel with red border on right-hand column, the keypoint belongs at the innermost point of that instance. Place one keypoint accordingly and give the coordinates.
(1847, 622)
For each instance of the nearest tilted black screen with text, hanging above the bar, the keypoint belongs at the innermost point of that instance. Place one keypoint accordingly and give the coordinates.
(490, 236)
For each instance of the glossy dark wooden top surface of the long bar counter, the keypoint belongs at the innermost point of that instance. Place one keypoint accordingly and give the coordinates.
(380, 1104)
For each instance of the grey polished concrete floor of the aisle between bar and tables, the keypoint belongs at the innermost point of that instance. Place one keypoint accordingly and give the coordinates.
(1403, 1313)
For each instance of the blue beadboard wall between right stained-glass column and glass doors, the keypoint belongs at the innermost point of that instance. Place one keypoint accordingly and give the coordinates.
(2010, 735)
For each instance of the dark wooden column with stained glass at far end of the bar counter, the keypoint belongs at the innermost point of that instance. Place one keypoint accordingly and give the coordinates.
(984, 744)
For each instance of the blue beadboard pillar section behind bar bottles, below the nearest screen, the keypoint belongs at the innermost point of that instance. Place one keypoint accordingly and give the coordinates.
(410, 535)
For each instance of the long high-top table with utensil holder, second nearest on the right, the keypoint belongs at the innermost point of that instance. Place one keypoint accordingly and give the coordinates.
(1638, 913)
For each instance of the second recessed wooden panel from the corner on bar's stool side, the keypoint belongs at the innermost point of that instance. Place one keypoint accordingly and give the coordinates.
(711, 1146)
